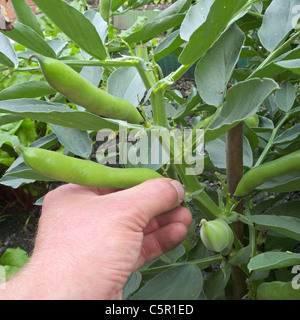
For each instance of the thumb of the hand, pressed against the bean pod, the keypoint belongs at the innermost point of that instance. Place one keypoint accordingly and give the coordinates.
(143, 202)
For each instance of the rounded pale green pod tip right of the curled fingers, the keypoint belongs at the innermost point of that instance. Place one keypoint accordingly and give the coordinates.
(216, 235)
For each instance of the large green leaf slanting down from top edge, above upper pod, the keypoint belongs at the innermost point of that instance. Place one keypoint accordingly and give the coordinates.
(75, 25)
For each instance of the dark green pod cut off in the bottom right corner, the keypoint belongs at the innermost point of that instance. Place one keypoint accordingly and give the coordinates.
(277, 290)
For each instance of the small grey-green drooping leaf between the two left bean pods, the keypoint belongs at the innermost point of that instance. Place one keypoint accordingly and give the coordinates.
(76, 141)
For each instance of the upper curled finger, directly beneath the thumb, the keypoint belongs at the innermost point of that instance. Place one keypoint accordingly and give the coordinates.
(180, 214)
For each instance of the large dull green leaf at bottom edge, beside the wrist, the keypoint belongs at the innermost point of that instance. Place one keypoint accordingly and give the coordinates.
(177, 283)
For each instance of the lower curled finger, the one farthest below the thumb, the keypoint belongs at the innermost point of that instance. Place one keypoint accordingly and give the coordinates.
(161, 241)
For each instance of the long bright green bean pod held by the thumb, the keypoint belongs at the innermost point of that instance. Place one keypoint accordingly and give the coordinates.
(87, 173)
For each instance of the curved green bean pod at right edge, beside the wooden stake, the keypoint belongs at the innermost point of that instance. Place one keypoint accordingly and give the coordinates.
(259, 175)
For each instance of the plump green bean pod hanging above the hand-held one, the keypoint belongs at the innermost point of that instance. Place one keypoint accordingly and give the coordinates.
(77, 89)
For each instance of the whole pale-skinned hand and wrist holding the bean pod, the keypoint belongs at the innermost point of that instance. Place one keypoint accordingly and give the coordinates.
(90, 240)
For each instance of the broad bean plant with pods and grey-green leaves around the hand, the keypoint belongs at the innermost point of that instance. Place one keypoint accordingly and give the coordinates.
(100, 84)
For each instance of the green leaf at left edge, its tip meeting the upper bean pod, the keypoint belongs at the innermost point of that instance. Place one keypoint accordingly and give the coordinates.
(31, 89)
